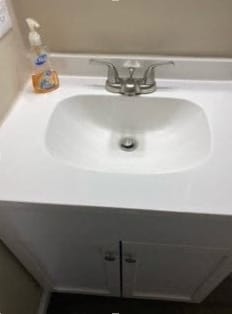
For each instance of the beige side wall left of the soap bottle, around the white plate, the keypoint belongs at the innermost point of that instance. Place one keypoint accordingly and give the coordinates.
(13, 68)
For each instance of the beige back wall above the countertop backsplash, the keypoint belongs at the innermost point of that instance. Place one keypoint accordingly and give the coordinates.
(173, 27)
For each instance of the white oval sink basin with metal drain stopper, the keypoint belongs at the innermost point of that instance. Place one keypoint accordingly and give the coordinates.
(134, 135)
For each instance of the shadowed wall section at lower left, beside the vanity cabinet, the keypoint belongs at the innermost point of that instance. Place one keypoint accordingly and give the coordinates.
(19, 293)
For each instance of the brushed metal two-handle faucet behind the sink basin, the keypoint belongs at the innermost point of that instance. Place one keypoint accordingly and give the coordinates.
(130, 86)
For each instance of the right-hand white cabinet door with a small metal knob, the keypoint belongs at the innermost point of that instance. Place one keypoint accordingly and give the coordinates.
(172, 272)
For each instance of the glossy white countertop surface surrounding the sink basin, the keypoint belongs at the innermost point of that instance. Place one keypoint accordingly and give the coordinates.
(28, 172)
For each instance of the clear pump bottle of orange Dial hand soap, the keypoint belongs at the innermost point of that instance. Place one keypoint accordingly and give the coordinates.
(44, 78)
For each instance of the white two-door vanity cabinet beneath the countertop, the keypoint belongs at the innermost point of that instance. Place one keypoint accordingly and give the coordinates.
(133, 254)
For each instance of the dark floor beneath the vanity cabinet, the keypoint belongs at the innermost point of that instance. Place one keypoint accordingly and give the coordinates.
(219, 302)
